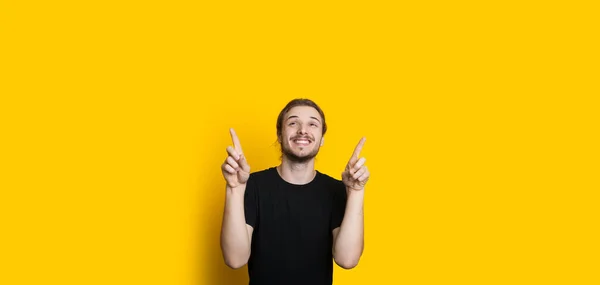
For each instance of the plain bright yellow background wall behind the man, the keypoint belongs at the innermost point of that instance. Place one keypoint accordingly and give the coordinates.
(481, 120)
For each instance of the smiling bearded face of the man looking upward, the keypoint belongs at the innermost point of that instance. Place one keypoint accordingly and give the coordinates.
(301, 134)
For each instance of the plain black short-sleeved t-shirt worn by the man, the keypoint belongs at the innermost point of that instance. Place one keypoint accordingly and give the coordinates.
(292, 238)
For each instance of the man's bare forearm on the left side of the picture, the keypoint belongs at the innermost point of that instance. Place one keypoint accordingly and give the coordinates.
(235, 242)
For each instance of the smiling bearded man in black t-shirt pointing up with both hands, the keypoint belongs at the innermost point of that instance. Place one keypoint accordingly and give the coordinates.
(288, 222)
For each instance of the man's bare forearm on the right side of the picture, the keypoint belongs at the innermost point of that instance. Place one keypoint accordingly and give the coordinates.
(350, 240)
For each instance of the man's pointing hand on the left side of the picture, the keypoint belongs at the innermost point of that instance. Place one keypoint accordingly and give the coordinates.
(235, 168)
